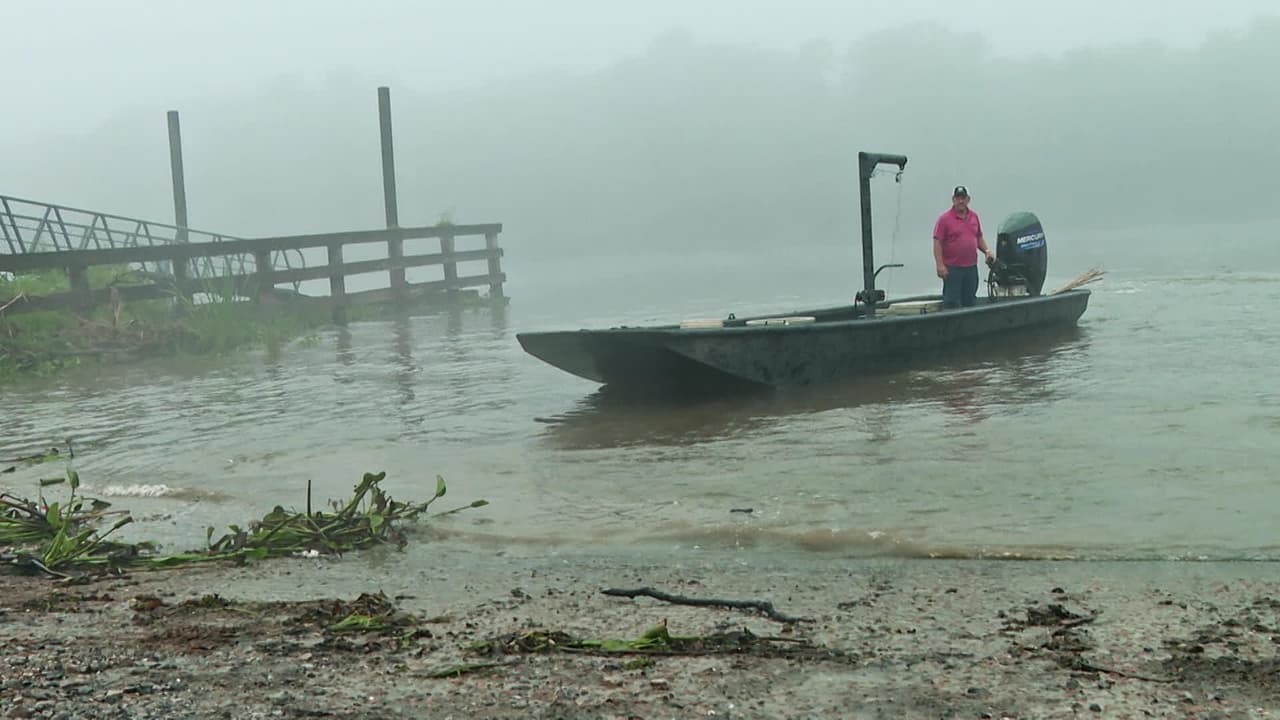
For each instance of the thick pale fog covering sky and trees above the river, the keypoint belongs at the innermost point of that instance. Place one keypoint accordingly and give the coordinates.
(656, 127)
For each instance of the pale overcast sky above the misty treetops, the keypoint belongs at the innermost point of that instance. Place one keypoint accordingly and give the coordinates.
(71, 65)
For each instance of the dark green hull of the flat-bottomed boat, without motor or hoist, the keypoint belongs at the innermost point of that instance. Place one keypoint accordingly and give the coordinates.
(840, 344)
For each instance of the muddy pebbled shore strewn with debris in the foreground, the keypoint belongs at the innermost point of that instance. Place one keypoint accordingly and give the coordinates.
(880, 639)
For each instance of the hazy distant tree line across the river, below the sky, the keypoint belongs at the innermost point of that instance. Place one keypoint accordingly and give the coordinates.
(721, 147)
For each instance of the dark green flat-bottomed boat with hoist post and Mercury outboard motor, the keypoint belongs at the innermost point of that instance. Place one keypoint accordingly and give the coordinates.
(829, 344)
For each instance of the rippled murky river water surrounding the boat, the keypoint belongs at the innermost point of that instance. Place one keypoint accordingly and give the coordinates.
(1149, 434)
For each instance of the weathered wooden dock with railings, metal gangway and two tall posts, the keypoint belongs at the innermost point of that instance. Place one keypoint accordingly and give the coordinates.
(182, 262)
